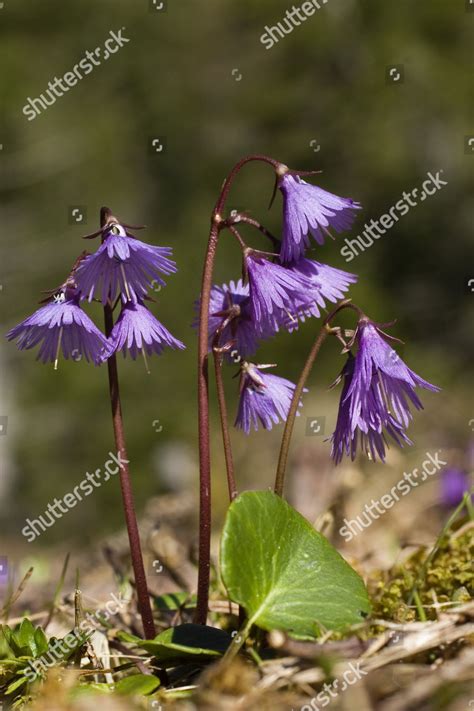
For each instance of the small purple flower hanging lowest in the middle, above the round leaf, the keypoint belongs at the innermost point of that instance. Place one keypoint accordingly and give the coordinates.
(262, 397)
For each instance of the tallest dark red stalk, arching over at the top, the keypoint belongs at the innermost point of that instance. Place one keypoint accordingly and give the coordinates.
(203, 392)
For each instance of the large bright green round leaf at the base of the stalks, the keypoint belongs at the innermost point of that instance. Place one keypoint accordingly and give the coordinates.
(286, 574)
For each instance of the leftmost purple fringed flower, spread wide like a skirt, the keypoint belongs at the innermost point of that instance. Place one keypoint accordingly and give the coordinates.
(61, 325)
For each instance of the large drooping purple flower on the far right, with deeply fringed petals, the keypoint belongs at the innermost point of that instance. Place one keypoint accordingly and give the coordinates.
(375, 400)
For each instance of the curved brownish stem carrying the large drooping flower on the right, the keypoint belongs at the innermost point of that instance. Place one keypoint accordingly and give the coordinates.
(290, 420)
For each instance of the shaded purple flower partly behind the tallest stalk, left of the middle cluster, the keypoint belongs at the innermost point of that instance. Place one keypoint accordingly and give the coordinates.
(228, 299)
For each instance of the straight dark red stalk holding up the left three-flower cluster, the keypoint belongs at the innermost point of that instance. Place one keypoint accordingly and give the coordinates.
(144, 606)
